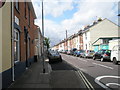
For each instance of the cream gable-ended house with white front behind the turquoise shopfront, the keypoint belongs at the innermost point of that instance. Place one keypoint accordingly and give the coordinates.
(97, 36)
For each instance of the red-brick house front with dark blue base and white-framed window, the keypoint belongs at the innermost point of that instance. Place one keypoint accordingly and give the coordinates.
(24, 29)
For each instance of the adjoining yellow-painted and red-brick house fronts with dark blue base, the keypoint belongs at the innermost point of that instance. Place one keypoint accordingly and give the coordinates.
(17, 44)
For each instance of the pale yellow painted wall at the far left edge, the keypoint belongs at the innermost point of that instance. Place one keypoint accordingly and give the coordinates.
(5, 32)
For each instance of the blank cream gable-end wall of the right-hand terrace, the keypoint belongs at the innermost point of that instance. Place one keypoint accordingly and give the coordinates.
(104, 28)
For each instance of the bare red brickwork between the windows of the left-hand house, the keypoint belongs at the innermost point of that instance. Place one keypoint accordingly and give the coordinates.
(31, 29)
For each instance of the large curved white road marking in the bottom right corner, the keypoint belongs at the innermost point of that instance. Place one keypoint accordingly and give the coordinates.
(97, 80)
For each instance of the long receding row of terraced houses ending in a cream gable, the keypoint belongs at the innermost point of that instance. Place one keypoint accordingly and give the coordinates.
(95, 36)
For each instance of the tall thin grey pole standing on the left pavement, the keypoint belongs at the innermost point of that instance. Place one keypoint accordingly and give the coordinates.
(43, 38)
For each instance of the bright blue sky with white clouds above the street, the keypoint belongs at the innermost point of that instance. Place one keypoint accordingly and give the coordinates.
(72, 15)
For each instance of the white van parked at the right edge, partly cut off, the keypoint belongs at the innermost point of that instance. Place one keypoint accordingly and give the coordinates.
(115, 54)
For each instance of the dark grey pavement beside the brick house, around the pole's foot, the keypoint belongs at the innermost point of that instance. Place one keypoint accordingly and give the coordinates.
(34, 77)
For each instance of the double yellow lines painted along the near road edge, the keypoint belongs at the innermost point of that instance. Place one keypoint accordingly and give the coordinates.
(85, 80)
